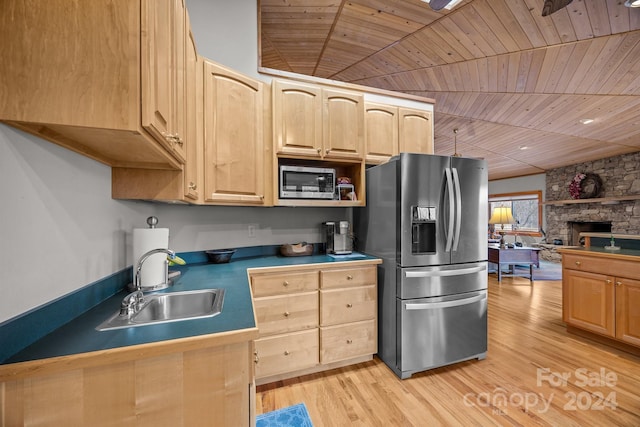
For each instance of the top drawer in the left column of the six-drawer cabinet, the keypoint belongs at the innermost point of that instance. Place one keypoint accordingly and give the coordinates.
(283, 283)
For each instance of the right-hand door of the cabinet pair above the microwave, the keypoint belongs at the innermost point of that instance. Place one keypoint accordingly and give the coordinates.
(343, 124)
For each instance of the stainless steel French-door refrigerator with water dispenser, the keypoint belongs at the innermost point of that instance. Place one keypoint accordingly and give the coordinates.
(426, 217)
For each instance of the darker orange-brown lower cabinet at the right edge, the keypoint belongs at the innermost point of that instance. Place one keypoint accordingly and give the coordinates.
(601, 295)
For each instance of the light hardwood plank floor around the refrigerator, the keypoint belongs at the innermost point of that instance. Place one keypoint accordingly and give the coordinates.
(519, 383)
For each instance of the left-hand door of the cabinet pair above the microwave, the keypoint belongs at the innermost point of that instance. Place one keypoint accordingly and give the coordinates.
(297, 118)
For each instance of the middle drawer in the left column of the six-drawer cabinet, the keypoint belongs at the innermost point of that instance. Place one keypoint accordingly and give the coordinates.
(287, 313)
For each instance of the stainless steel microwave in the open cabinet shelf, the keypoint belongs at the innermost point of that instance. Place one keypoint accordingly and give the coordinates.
(302, 182)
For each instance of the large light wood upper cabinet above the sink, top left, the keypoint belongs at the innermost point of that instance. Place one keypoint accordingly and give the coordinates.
(79, 74)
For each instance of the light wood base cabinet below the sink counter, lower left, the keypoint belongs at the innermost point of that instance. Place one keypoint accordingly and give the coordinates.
(191, 382)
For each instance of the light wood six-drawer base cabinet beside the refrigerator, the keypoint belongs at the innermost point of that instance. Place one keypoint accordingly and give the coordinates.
(313, 318)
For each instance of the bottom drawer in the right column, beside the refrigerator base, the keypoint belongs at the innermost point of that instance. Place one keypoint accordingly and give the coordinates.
(347, 341)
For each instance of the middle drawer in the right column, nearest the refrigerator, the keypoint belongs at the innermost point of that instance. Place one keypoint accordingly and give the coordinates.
(347, 305)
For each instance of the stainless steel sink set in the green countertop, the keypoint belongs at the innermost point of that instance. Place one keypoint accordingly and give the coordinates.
(169, 307)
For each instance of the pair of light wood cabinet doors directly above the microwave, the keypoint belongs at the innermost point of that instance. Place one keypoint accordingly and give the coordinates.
(315, 122)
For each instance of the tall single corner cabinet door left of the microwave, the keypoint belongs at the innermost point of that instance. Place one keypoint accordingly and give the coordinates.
(233, 143)
